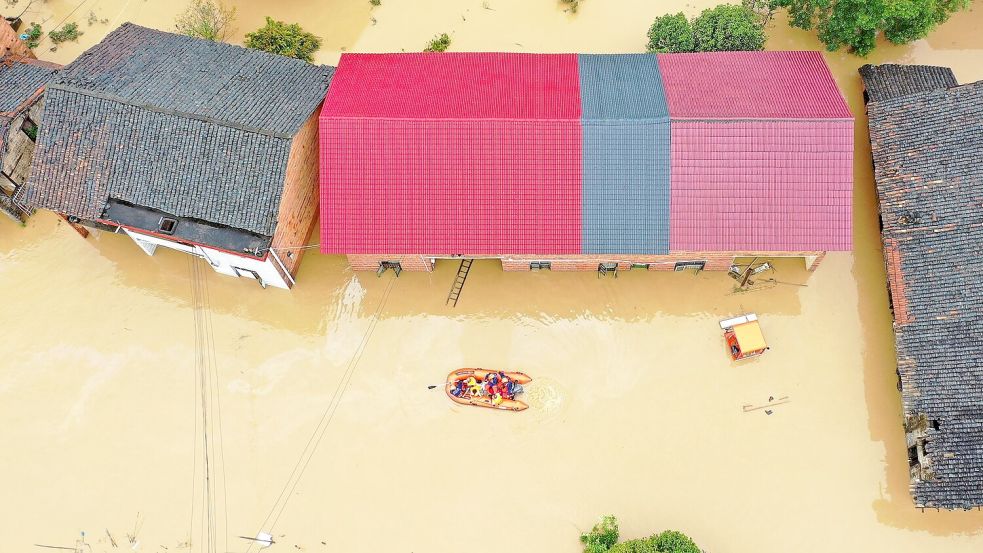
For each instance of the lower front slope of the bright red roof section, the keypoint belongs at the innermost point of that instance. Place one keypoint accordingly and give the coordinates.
(422, 186)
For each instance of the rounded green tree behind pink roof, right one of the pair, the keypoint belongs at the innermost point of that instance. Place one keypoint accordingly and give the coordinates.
(728, 27)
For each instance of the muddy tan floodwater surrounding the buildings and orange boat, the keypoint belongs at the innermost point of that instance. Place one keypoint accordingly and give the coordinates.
(635, 408)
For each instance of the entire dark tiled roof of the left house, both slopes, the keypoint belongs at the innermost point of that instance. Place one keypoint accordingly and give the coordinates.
(188, 127)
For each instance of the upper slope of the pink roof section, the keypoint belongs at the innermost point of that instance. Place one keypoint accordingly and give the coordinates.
(751, 85)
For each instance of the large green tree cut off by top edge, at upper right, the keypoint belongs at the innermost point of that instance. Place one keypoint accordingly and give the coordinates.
(857, 23)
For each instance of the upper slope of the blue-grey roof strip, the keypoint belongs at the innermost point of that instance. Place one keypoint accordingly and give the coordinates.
(621, 86)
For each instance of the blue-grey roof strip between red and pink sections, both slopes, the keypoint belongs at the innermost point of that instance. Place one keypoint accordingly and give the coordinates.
(625, 193)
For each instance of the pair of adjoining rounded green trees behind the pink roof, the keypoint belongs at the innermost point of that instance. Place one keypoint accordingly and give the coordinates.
(726, 27)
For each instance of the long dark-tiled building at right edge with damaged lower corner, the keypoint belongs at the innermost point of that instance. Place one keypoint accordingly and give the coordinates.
(926, 135)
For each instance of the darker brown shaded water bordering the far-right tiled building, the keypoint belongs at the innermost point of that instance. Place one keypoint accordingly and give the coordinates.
(895, 506)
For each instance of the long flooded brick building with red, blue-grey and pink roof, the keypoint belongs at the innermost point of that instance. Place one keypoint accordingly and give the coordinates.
(585, 162)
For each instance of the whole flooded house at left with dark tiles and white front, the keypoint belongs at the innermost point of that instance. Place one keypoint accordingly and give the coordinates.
(198, 146)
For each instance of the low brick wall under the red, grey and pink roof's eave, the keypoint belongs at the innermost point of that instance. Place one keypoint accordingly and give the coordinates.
(715, 261)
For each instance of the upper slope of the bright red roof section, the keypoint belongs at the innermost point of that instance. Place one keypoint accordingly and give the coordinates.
(452, 85)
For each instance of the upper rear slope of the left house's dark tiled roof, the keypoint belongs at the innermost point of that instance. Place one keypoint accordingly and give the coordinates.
(212, 80)
